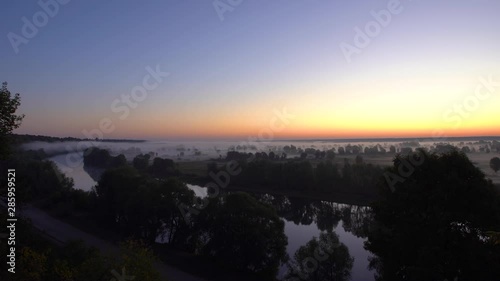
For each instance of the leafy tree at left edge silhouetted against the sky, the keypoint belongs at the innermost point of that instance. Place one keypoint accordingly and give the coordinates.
(8, 119)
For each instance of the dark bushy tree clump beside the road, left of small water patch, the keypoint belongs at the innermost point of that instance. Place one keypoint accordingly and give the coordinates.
(141, 207)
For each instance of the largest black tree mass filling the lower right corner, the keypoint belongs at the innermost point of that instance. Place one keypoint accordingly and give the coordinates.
(431, 225)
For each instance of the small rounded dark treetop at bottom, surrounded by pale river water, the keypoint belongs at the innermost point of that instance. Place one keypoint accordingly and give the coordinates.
(323, 259)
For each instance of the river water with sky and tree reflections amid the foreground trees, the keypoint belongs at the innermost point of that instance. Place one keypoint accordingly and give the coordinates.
(305, 219)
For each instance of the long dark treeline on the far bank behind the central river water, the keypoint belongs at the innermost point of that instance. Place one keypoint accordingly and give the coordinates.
(299, 174)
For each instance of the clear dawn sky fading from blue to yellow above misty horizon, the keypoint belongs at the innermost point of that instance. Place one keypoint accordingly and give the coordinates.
(186, 69)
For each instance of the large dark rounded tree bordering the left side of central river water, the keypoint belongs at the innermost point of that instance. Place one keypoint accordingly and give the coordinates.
(243, 233)
